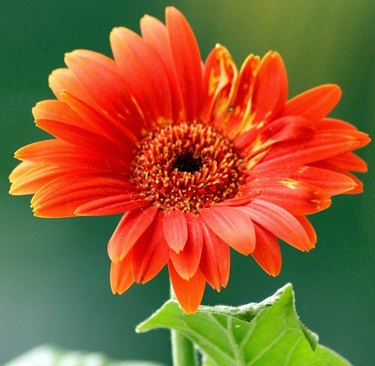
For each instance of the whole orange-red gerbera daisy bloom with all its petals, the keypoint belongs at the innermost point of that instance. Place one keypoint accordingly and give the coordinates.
(198, 157)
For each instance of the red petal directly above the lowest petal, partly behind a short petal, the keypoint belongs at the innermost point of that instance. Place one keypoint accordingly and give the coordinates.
(187, 261)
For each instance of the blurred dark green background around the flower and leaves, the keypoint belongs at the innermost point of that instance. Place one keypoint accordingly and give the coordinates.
(54, 273)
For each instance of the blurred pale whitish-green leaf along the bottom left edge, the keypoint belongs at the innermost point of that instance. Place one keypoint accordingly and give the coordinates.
(51, 356)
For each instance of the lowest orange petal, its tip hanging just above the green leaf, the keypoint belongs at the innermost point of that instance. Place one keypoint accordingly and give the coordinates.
(189, 293)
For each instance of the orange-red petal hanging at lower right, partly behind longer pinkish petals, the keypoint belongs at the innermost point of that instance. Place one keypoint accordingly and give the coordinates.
(267, 251)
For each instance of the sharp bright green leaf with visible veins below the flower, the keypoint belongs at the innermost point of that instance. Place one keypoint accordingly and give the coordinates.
(267, 333)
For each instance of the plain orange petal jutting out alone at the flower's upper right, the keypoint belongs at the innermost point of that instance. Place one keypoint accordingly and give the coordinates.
(315, 103)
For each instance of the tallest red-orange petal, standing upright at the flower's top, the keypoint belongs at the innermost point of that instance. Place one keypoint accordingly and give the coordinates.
(187, 61)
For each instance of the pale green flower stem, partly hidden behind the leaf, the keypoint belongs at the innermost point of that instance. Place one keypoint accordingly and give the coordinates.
(183, 352)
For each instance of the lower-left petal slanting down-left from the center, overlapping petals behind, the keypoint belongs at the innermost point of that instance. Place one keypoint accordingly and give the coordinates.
(132, 225)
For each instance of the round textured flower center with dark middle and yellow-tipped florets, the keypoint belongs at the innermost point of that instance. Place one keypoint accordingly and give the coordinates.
(186, 167)
